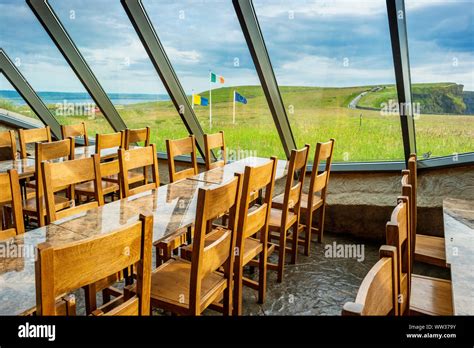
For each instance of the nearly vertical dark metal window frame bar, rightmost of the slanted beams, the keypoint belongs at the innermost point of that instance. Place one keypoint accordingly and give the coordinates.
(401, 61)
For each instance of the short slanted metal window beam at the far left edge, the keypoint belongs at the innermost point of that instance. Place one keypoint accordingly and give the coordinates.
(19, 82)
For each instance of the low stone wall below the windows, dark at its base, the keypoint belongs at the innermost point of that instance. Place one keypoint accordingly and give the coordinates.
(361, 203)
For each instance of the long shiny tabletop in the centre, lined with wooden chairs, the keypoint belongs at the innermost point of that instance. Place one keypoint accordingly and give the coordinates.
(173, 207)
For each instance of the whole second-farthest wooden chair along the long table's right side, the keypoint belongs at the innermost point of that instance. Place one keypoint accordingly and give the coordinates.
(288, 216)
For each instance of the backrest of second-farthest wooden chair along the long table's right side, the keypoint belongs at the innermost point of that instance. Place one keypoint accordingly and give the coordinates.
(294, 188)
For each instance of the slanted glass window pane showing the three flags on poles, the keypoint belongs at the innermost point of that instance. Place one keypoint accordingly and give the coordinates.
(205, 44)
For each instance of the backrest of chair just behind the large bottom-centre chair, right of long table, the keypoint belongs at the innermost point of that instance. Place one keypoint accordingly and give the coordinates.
(251, 221)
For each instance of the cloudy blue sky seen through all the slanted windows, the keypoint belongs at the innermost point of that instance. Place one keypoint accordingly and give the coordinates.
(334, 43)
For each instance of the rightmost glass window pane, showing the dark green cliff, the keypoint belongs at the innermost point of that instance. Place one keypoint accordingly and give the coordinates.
(441, 46)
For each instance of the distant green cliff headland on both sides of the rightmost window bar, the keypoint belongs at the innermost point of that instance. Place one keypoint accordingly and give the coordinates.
(433, 98)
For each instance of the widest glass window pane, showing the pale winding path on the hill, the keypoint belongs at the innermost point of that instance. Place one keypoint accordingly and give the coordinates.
(331, 59)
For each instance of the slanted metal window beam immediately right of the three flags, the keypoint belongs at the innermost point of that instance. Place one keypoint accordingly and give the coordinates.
(256, 44)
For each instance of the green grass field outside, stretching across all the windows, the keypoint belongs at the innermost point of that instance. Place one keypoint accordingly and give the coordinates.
(315, 114)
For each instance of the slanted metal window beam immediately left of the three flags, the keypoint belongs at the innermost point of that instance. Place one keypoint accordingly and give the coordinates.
(145, 30)
